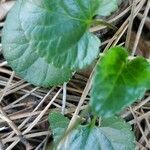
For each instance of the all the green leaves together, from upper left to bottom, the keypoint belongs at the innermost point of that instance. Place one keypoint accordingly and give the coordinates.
(44, 41)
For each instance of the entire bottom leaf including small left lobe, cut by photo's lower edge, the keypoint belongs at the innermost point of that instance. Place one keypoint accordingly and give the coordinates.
(112, 133)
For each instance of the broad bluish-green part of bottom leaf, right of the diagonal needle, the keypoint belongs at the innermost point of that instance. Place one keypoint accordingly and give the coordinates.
(114, 134)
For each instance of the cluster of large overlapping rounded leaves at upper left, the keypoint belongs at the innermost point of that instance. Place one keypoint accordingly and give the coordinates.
(54, 35)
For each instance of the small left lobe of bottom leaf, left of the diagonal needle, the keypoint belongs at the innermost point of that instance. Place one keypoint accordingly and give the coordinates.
(58, 124)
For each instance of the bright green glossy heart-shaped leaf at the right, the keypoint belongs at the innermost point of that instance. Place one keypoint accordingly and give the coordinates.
(118, 82)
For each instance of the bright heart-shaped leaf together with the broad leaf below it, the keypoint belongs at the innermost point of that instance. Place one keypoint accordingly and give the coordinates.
(117, 83)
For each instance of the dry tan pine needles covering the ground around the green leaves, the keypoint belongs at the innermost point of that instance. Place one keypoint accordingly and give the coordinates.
(24, 108)
